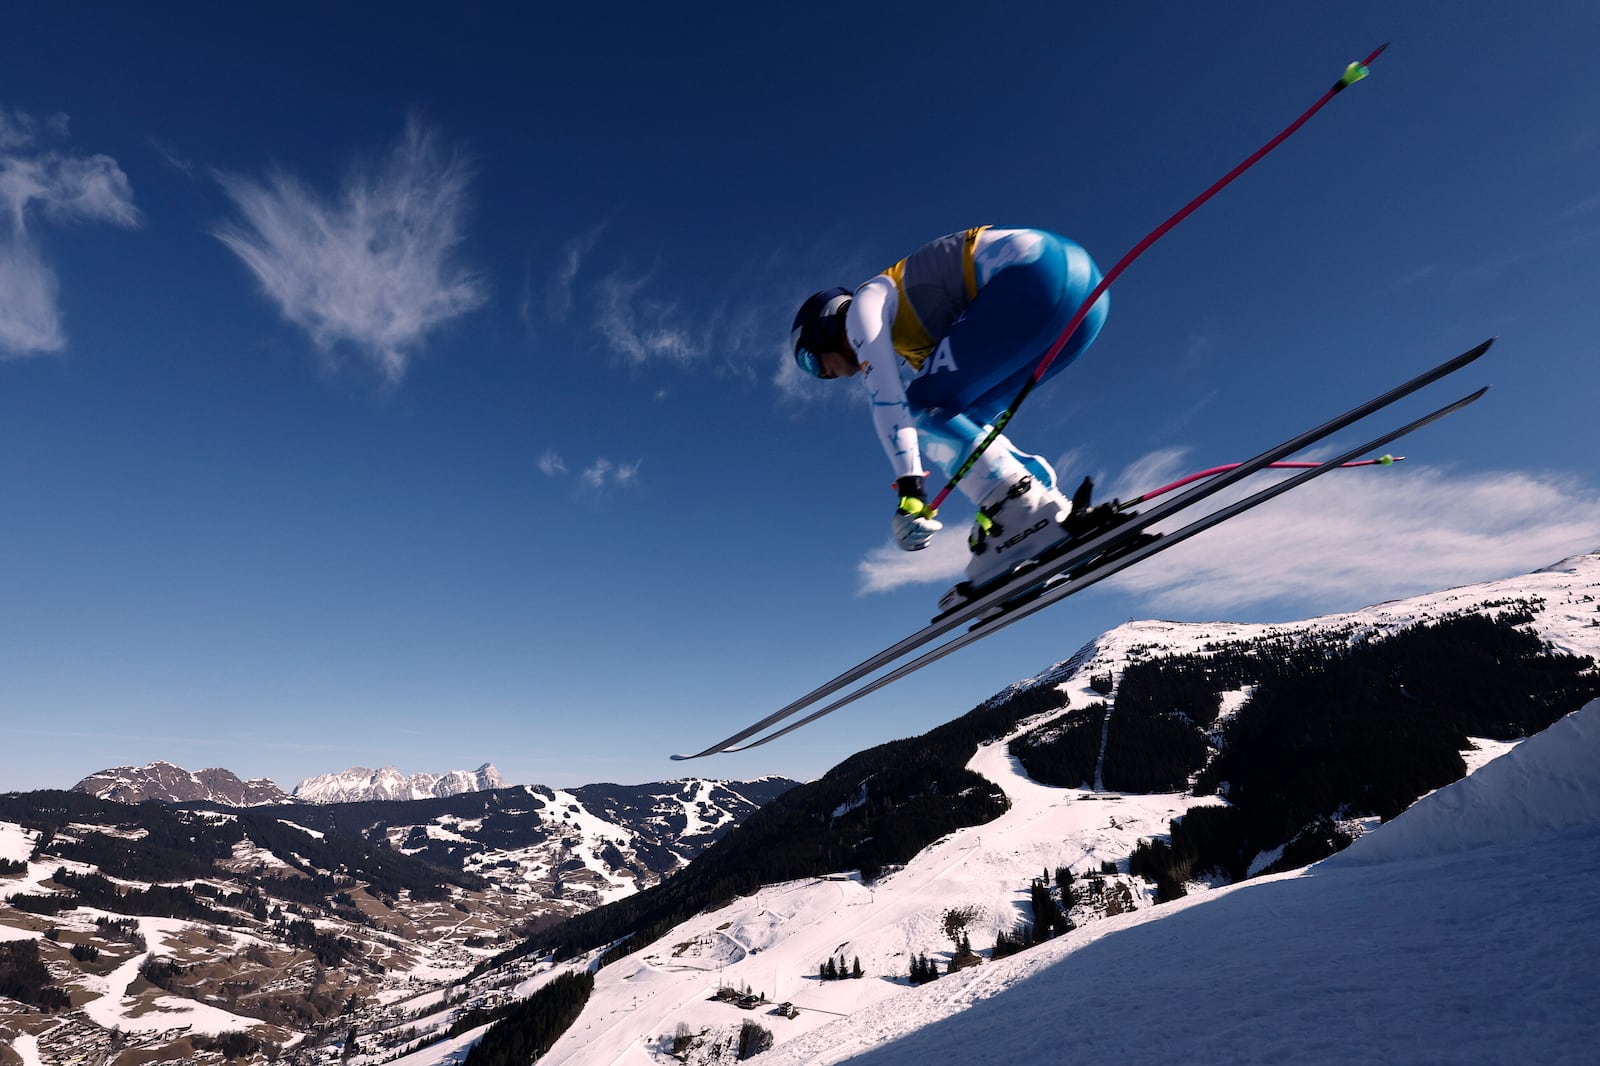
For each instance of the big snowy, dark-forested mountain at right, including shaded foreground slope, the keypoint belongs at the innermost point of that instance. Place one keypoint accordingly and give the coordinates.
(1327, 731)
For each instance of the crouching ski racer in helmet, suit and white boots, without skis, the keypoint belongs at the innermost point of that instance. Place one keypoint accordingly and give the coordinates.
(945, 340)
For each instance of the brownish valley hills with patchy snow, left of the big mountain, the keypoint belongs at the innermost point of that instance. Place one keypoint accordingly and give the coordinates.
(207, 931)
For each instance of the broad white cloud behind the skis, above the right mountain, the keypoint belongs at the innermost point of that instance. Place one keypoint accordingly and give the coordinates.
(1346, 540)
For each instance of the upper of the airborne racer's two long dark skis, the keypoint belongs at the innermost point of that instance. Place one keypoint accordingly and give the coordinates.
(996, 598)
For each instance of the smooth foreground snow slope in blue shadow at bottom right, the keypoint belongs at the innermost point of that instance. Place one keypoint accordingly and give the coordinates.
(1463, 932)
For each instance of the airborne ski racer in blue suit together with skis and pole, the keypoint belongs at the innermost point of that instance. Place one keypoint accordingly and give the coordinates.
(969, 313)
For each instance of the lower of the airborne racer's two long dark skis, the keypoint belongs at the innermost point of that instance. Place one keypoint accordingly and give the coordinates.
(1079, 583)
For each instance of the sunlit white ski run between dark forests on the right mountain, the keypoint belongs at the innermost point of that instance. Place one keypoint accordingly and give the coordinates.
(777, 939)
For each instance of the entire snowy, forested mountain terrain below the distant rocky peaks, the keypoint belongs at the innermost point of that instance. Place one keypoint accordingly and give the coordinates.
(1113, 857)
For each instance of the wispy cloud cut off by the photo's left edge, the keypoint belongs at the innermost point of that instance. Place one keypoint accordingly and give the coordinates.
(39, 182)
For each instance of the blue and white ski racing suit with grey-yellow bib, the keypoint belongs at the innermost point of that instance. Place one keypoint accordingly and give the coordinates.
(948, 335)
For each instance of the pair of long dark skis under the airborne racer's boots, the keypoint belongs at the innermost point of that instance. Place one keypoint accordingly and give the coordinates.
(1098, 558)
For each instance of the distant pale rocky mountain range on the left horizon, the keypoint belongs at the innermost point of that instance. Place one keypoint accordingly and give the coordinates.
(174, 785)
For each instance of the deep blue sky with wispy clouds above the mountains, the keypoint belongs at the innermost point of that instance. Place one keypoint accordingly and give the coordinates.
(391, 387)
